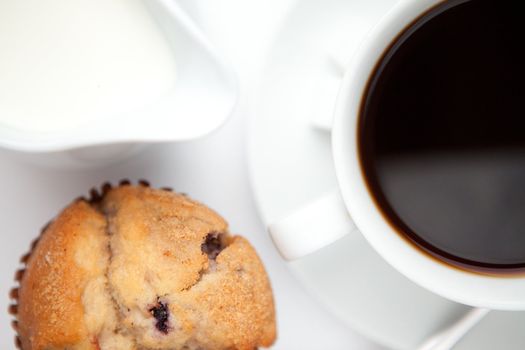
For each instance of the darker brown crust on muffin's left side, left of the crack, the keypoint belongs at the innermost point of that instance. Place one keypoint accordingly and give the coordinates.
(50, 311)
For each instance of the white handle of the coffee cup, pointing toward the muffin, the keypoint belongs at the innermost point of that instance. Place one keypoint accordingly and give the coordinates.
(312, 227)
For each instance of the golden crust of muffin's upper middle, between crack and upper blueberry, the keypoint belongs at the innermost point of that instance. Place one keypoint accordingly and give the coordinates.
(159, 235)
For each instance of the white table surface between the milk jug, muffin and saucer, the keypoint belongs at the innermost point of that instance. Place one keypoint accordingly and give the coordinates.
(212, 170)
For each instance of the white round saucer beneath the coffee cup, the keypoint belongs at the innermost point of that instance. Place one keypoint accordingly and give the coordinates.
(291, 164)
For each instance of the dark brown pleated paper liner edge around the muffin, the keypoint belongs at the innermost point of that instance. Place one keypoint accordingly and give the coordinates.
(95, 195)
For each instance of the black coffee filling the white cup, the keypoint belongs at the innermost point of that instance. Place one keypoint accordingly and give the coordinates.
(442, 134)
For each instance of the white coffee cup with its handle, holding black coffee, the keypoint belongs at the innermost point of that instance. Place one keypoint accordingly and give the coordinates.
(351, 207)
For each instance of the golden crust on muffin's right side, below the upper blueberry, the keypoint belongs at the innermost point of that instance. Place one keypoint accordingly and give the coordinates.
(234, 301)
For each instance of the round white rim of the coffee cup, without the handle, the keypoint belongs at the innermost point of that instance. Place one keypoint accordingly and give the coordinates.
(495, 292)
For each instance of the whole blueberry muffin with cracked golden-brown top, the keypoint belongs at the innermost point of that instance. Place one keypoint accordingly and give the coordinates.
(139, 268)
